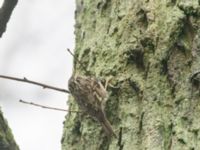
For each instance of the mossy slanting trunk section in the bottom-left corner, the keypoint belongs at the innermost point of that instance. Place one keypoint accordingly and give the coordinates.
(7, 141)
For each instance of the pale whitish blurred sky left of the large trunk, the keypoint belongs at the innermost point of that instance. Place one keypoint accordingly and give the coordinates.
(34, 46)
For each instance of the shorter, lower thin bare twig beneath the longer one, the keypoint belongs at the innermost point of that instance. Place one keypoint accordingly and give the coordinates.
(47, 107)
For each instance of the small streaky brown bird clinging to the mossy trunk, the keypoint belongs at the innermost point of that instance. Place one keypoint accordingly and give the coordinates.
(91, 96)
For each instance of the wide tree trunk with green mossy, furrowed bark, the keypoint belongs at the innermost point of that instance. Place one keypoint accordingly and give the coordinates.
(151, 49)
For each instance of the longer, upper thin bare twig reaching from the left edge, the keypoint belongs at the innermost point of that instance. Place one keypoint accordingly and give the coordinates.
(45, 86)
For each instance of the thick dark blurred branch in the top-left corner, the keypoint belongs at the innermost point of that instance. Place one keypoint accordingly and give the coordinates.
(5, 13)
